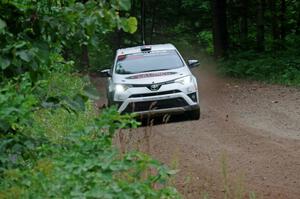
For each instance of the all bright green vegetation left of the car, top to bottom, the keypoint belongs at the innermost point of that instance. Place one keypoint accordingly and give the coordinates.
(54, 143)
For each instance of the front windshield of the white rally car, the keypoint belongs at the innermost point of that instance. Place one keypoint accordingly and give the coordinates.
(148, 61)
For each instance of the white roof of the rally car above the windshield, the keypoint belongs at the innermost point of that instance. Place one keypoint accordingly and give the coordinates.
(137, 49)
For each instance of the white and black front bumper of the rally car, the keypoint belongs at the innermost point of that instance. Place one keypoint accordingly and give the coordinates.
(170, 98)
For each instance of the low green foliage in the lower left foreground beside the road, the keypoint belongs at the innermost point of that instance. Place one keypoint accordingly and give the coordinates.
(80, 161)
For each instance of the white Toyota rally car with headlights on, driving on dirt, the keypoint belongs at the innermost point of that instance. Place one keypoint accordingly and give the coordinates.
(152, 80)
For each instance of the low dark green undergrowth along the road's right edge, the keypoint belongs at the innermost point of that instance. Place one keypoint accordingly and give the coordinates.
(280, 67)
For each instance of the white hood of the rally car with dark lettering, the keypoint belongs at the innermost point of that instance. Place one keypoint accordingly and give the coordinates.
(151, 77)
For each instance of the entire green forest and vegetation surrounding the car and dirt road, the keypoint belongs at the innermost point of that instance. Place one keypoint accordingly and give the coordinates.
(54, 143)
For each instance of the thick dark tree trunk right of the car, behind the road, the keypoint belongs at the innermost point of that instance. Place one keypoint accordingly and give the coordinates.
(220, 32)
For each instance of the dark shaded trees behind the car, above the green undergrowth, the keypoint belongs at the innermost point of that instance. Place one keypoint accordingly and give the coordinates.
(235, 25)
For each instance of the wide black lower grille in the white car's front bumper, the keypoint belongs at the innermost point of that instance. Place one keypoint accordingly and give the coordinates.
(155, 105)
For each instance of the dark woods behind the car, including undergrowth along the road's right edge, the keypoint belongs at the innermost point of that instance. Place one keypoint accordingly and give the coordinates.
(257, 39)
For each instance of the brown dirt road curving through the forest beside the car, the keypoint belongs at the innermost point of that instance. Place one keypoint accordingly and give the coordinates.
(249, 129)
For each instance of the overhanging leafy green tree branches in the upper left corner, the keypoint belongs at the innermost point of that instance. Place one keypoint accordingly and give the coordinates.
(46, 28)
